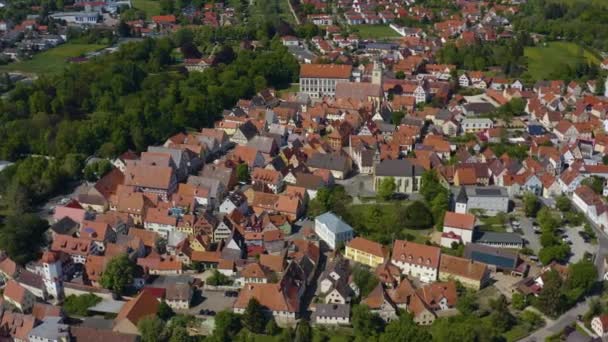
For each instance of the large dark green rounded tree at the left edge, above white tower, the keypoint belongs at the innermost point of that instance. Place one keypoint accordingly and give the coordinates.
(22, 237)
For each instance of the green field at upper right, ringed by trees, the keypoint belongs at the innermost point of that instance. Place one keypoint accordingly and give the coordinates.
(544, 60)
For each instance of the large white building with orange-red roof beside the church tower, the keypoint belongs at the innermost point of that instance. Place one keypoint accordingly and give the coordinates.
(318, 80)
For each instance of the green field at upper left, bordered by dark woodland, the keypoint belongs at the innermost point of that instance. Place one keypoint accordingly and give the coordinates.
(51, 61)
